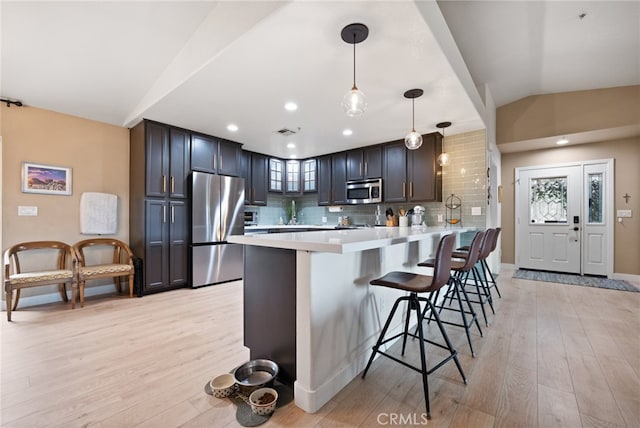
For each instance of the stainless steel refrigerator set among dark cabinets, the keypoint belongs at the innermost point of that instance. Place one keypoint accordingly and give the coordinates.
(217, 211)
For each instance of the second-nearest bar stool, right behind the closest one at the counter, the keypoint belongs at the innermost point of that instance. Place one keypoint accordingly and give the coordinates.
(459, 267)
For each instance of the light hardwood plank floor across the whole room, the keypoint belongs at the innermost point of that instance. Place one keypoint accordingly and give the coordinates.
(553, 355)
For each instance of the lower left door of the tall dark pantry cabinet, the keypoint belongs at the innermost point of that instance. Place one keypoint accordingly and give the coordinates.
(156, 245)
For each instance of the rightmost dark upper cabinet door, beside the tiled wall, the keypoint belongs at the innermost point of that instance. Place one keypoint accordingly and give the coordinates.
(423, 171)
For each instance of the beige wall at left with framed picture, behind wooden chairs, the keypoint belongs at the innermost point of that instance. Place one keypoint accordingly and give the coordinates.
(98, 154)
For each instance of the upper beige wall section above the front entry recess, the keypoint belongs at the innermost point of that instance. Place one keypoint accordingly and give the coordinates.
(566, 113)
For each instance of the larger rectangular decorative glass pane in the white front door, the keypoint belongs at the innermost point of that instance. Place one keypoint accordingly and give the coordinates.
(548, 200)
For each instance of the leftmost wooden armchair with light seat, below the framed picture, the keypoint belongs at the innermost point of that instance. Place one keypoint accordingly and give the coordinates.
(16, 278)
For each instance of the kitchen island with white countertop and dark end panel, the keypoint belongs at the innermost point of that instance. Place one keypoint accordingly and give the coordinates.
(308, 304)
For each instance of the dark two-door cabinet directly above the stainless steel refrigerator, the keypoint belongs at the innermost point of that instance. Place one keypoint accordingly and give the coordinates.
(214, 155)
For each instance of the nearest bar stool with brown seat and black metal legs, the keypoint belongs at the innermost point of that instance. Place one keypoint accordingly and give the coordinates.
(414, 284)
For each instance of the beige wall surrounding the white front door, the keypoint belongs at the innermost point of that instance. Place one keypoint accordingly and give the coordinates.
(626, 155)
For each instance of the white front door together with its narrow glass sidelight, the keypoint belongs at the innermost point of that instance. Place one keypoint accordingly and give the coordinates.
(563, 219)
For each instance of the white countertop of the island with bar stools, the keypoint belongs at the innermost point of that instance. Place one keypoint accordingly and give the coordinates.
(342, 241)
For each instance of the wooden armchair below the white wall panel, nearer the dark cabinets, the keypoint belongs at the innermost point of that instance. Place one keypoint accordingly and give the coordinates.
(121, 265)
